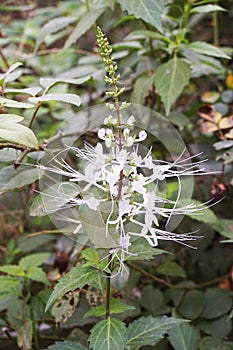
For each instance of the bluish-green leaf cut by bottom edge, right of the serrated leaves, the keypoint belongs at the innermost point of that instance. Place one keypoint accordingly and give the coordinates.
(184, 337)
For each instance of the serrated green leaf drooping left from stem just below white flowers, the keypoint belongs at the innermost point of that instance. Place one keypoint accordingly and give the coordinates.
(77, 277)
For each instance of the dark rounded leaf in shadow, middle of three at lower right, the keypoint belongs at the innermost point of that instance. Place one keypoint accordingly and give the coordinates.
(192, 304)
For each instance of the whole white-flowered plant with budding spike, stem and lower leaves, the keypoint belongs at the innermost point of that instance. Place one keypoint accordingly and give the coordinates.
(117, 200)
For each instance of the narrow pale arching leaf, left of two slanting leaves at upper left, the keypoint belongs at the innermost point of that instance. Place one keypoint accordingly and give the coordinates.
(53, 26)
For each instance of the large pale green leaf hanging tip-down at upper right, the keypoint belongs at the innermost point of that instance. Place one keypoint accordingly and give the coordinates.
(170, 78)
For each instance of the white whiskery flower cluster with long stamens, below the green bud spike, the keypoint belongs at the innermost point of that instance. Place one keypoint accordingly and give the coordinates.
(108, 167)
